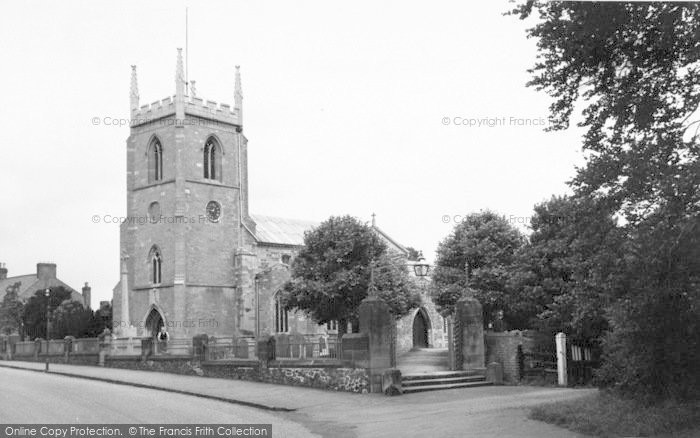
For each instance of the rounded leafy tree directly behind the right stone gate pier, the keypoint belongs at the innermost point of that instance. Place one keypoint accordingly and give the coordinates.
(476, 259)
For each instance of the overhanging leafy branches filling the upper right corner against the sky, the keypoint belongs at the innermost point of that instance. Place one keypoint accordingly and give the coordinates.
(635, 70)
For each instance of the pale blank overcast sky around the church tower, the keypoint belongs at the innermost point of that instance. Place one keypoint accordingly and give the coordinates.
(350, 108)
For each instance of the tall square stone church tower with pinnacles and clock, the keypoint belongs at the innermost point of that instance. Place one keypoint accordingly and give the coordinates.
(187, 215)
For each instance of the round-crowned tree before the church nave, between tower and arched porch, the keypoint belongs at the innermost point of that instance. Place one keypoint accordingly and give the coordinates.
(331, 274)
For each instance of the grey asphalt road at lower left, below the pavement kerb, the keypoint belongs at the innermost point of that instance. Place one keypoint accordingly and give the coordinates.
(32, 397)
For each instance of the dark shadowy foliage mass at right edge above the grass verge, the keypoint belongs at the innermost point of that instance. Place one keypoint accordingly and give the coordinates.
(653, 350)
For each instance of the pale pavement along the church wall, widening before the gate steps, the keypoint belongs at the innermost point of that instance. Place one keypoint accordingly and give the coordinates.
(495, 411)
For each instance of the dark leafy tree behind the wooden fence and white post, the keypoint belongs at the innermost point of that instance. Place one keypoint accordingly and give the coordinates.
(567, 273)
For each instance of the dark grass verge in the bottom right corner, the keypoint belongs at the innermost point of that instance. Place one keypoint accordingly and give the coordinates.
(606, 415)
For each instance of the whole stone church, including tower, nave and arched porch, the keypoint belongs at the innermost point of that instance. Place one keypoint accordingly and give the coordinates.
(193, 258)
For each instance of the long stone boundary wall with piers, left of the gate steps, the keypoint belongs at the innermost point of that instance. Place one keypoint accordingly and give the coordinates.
(350, 372)
